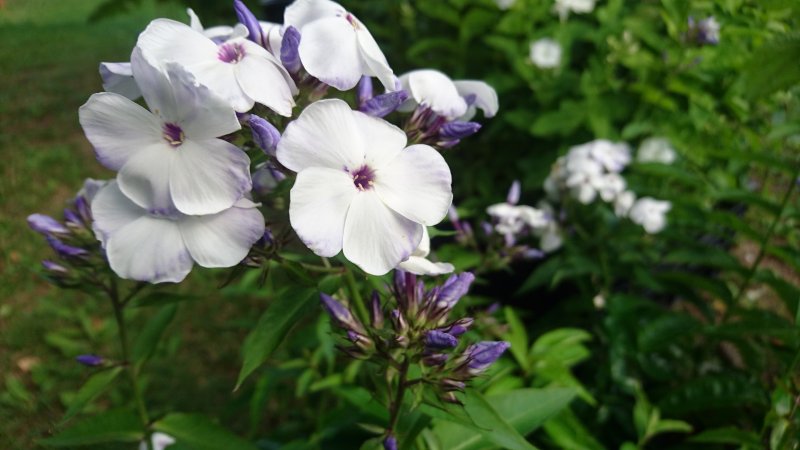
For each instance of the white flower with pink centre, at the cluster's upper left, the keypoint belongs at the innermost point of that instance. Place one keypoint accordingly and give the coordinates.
(238, 70)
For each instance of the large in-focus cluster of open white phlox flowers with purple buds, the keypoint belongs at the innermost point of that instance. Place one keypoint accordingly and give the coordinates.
(216, 130)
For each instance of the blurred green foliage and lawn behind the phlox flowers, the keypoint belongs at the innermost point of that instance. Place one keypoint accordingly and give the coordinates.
(686, 339)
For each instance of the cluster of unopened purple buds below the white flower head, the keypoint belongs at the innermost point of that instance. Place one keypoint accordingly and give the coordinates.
(418, 330)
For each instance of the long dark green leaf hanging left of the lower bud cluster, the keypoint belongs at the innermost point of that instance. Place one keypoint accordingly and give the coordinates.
(273, 326)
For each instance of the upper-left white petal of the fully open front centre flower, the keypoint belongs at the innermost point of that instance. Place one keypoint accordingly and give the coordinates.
(324, 135)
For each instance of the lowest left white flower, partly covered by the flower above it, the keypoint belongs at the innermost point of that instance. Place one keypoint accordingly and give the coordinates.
(156, 243)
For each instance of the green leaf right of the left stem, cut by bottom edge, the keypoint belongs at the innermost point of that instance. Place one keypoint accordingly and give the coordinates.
(201, 433)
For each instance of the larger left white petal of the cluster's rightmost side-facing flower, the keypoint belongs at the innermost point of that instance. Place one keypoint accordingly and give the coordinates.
(436, 90)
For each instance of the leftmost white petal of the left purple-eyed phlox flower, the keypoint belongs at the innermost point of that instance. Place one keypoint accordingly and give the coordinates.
(117, 128)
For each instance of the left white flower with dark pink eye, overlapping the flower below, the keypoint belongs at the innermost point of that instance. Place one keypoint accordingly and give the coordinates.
(172, 155)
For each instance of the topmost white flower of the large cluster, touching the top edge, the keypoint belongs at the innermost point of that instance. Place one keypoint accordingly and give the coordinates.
(335, 47)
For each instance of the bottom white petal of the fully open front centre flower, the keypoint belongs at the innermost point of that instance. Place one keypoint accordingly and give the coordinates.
(376, 238)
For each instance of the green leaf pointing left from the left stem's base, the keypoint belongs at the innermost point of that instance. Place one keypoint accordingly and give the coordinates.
(112, 426)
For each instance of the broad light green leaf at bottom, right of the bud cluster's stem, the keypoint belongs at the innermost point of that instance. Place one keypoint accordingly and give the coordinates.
(502, 419)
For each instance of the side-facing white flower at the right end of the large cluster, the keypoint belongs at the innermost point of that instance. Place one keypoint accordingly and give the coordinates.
(448, 98)
